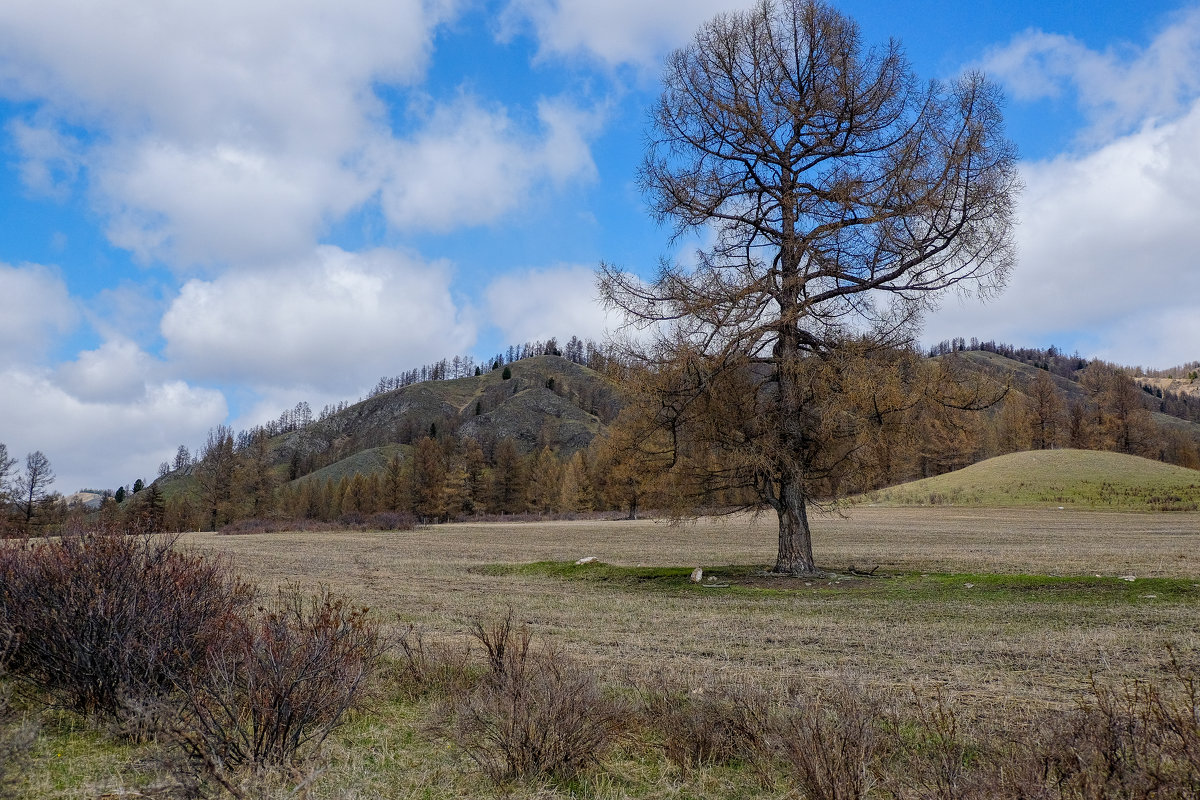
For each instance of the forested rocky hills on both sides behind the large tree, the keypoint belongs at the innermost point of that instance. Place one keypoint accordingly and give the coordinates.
(531, 436)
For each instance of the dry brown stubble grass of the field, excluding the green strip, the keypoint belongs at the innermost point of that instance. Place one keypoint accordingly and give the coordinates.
(986, 654)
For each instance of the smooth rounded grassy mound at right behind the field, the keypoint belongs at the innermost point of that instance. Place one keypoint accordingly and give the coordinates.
(1073, 479)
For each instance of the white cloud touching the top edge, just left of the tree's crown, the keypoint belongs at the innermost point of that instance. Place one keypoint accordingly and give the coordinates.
(613, 32)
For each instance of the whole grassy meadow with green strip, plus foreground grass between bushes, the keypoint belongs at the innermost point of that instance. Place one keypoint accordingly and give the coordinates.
(1005, 613)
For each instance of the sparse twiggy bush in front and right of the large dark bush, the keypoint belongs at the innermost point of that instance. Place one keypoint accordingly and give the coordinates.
(280, 685)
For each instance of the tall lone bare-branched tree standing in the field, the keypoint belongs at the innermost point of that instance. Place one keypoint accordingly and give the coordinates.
(842, 197)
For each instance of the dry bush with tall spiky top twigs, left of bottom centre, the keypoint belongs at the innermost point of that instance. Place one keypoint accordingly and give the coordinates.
(535, 714)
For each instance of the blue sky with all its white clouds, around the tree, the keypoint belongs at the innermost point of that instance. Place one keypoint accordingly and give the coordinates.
(215, 210)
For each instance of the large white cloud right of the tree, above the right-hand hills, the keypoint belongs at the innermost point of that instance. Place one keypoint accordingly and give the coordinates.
(1108, 244)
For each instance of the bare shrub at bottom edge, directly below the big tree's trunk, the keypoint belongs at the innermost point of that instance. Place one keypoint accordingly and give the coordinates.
(832, 743)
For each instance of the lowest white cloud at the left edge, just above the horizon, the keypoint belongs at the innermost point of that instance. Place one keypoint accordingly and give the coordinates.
(104, 442)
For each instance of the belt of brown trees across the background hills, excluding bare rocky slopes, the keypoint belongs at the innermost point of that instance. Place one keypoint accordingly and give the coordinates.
(435, 474)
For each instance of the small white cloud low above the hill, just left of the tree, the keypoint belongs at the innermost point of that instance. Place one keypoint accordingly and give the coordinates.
(539, 304)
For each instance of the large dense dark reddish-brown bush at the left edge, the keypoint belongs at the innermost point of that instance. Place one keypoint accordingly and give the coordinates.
(104, 622)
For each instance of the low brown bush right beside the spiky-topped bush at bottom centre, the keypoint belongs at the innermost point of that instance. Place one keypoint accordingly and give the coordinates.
(700, 726)
